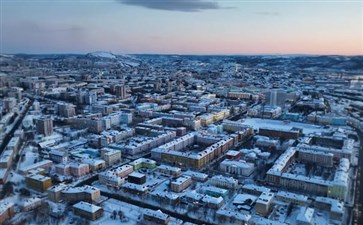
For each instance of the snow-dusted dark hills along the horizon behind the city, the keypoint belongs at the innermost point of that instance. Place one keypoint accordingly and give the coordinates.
(293, 62)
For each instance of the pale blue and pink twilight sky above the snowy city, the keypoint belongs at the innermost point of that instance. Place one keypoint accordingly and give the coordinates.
(182, 26)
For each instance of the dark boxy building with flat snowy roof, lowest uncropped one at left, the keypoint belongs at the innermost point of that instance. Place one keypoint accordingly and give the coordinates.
(87, 210)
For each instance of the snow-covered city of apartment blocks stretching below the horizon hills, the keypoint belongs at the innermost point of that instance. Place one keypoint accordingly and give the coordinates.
(101, 139)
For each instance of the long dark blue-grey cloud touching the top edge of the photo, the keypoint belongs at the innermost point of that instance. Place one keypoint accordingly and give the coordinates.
(175, 5)
